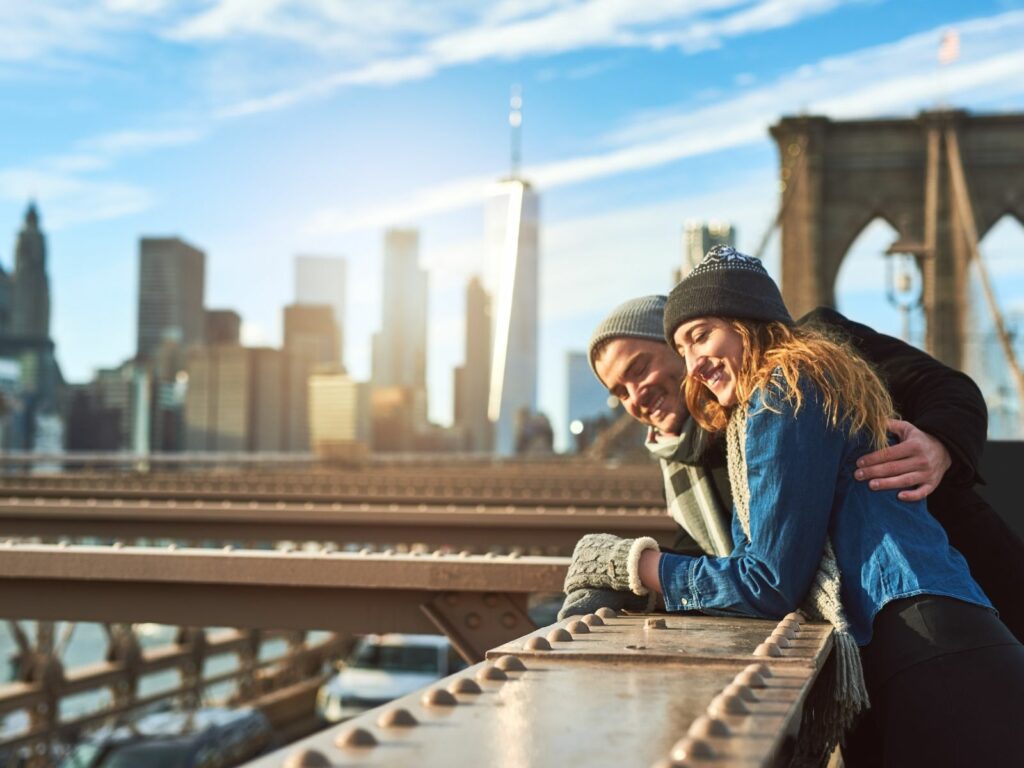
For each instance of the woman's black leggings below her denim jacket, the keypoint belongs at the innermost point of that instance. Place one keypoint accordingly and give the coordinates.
(947, 684)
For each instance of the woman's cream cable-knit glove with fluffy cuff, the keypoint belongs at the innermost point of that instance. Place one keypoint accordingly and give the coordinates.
(610, 563)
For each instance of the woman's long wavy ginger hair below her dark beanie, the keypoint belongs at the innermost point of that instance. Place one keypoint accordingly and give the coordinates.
(854, 396)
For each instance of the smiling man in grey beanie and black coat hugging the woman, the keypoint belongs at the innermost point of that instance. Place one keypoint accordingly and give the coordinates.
(942, 436)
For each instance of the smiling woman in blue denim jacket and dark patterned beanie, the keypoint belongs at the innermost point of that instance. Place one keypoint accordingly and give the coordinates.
(945, 678)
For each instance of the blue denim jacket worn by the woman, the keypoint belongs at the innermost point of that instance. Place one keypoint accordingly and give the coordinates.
(800, 475)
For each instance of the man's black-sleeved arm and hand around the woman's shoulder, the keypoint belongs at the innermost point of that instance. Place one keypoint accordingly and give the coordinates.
(930, 397)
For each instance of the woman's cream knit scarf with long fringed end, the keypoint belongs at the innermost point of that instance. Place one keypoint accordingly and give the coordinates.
(828, 718)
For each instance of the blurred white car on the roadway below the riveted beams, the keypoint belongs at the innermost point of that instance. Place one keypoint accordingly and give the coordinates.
(382, 668)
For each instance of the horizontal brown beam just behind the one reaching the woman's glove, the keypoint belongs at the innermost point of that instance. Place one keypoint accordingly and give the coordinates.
(478, 527)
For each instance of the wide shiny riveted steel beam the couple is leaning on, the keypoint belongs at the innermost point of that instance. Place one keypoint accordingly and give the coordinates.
(662, 691)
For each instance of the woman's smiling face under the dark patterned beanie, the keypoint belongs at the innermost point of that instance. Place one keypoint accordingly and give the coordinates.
(714, 353)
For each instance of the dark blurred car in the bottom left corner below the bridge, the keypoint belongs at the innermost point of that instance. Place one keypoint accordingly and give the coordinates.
(210, 738)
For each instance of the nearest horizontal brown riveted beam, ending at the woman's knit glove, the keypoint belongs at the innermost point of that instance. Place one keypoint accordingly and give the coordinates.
(339, 592)
